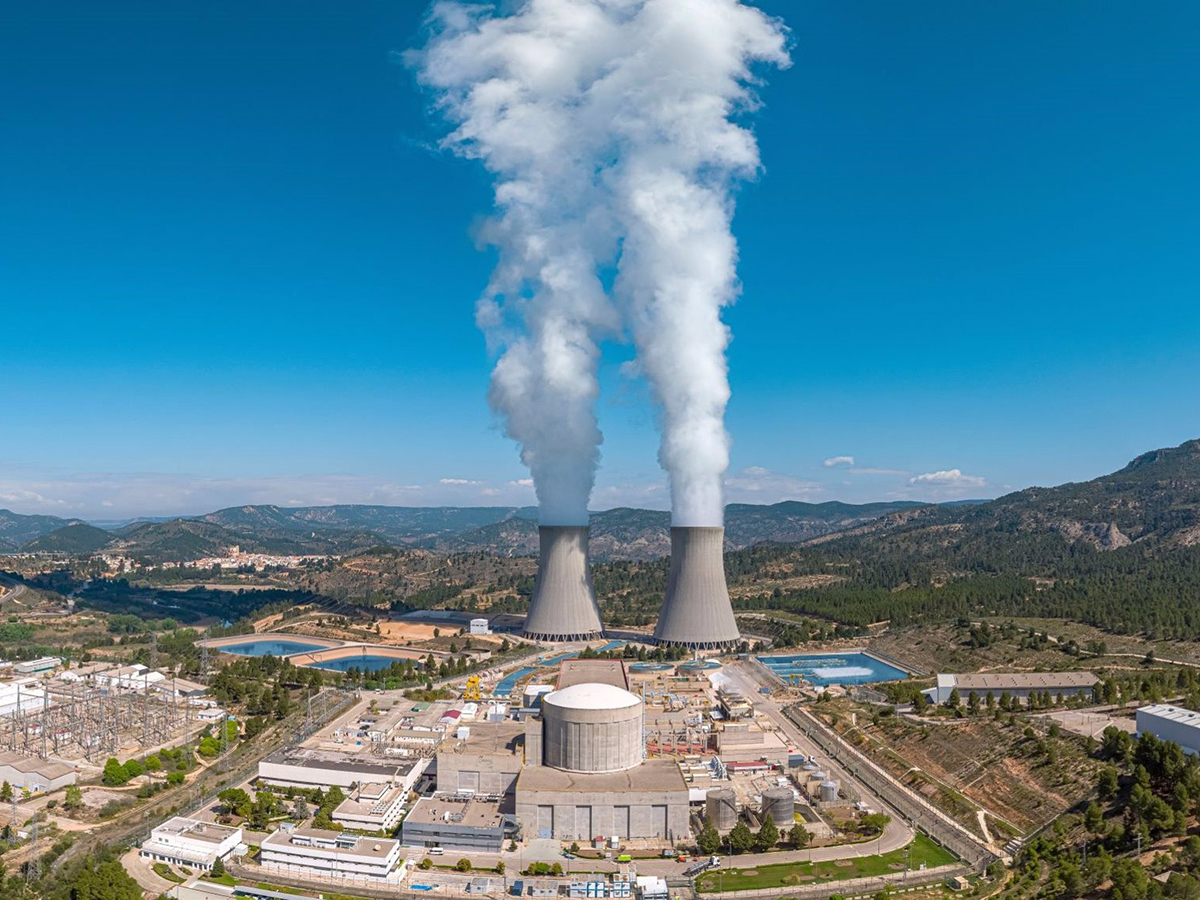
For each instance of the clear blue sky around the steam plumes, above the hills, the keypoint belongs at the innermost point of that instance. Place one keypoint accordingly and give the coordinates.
(233, 271)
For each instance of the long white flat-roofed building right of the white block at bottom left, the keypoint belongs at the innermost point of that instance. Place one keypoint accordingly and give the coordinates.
(315, 853)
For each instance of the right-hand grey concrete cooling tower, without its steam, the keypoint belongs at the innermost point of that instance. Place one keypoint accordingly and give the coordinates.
(697, 611)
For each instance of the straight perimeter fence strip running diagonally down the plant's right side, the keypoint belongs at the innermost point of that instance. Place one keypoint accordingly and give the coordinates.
(914, 808)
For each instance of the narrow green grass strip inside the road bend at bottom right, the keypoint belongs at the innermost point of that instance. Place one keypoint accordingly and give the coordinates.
(923, 850)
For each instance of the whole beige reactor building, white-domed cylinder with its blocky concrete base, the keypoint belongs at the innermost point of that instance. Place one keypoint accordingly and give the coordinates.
(586, 772)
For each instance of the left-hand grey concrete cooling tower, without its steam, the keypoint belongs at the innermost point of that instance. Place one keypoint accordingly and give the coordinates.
(565, 604)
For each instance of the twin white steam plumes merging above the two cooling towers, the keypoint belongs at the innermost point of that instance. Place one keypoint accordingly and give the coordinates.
(609, 128)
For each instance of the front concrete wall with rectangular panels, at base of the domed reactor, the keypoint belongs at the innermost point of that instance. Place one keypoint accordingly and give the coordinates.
(646, 814)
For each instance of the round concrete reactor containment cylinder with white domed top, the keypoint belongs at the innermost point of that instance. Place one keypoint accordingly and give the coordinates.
(592, 728)
